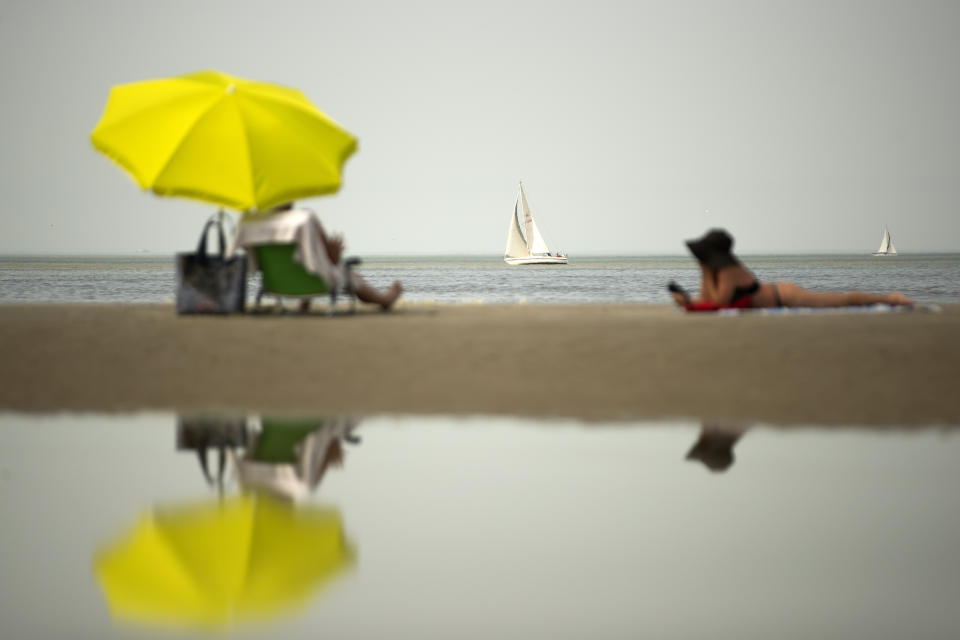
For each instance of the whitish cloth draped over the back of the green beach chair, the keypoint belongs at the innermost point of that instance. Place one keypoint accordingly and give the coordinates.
(298, 227)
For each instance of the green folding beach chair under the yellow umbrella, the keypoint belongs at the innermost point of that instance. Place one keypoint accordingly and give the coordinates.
(284, 277)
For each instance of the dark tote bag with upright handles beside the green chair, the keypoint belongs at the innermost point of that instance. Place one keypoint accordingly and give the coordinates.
(211, 283)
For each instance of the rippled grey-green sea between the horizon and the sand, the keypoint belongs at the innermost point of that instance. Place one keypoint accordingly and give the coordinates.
(927, 278)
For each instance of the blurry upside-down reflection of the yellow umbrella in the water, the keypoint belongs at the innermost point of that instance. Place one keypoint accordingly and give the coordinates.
(210, 565)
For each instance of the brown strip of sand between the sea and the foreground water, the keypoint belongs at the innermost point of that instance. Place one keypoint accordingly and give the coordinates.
(607, 362)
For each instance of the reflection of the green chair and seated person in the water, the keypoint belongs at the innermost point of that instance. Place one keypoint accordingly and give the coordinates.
(289, 457)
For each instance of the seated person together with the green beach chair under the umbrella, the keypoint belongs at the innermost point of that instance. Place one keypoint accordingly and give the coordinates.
(297, 258)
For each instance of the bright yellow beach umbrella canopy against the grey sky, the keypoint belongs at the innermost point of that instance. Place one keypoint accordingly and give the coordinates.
(222, 139)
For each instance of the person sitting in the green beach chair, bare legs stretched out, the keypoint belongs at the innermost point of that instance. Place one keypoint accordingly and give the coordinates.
(319, 253)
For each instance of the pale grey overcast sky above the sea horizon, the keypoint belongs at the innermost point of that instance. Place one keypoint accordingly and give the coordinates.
(802, 127)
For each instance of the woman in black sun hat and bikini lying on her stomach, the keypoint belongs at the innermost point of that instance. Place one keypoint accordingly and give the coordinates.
(726, 284)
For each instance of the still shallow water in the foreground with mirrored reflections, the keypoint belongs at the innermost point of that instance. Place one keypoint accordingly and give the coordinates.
(473, 527)
